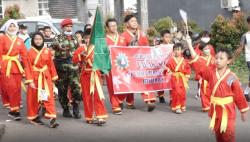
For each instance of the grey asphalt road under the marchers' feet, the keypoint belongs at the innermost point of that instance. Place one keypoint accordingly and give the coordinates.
(136, 125)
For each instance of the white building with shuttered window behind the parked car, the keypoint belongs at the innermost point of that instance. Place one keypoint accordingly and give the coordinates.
(83, 10)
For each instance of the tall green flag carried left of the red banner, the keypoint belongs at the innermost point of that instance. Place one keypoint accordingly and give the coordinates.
(101, 51)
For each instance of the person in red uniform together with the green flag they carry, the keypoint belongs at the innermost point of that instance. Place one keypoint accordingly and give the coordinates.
(94, 59)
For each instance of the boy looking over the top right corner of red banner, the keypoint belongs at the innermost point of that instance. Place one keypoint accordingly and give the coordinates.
(166, 40)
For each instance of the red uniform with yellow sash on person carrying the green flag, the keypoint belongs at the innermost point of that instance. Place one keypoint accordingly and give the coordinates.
(92, 94)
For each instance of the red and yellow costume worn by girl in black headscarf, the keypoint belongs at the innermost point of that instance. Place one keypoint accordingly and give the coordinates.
(43, 74)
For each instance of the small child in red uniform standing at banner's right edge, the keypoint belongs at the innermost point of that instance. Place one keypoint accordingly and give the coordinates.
(180, 70)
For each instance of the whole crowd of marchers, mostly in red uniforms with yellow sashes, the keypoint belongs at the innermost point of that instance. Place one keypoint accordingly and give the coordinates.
(62, 64)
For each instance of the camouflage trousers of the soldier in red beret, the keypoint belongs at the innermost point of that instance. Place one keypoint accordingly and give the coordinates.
(68, 78)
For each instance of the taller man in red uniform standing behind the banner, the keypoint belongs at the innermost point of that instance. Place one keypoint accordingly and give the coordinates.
(135, 37)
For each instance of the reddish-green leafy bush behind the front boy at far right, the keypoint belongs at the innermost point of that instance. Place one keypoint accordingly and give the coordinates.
(227, 33)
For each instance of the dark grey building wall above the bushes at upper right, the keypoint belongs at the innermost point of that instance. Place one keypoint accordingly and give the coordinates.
(202, 11)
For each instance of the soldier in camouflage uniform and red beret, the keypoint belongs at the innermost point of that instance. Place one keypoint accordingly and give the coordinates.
(67, 72)
